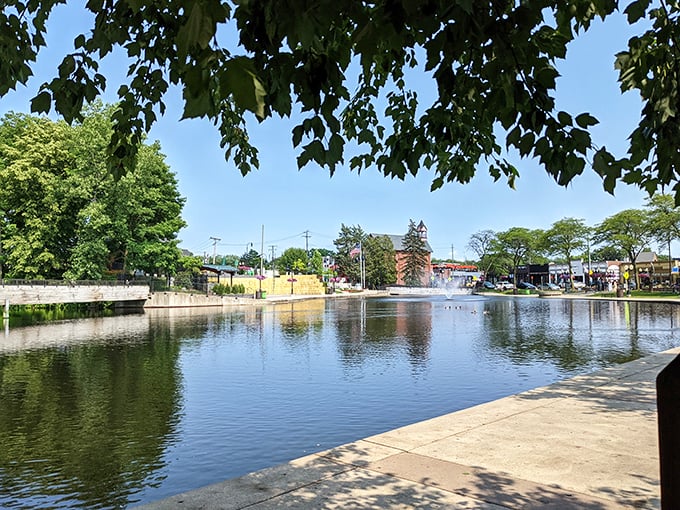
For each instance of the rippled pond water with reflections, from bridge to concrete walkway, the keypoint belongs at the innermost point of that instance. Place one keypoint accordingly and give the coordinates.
(116, 411)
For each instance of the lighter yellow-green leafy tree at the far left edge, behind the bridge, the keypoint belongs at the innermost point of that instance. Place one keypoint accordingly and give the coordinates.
(39, 195)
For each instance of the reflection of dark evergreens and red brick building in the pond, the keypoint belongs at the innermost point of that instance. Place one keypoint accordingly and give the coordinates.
(382, 329)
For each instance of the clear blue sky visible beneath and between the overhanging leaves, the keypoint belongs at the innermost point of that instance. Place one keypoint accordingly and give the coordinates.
(221, 203)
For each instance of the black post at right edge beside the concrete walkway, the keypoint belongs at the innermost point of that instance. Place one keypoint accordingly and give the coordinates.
(668, 407)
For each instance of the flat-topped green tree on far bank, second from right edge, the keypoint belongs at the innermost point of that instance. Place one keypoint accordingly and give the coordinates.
(630, 231)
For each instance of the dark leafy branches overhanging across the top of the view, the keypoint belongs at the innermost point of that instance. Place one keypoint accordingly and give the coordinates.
(345, 66)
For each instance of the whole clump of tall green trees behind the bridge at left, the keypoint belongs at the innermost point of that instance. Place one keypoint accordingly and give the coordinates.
(65, 214)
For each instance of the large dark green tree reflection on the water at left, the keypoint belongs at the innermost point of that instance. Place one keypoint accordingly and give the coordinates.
(93, 420)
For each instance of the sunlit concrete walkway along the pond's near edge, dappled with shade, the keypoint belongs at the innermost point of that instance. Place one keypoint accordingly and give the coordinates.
(586, 443)
